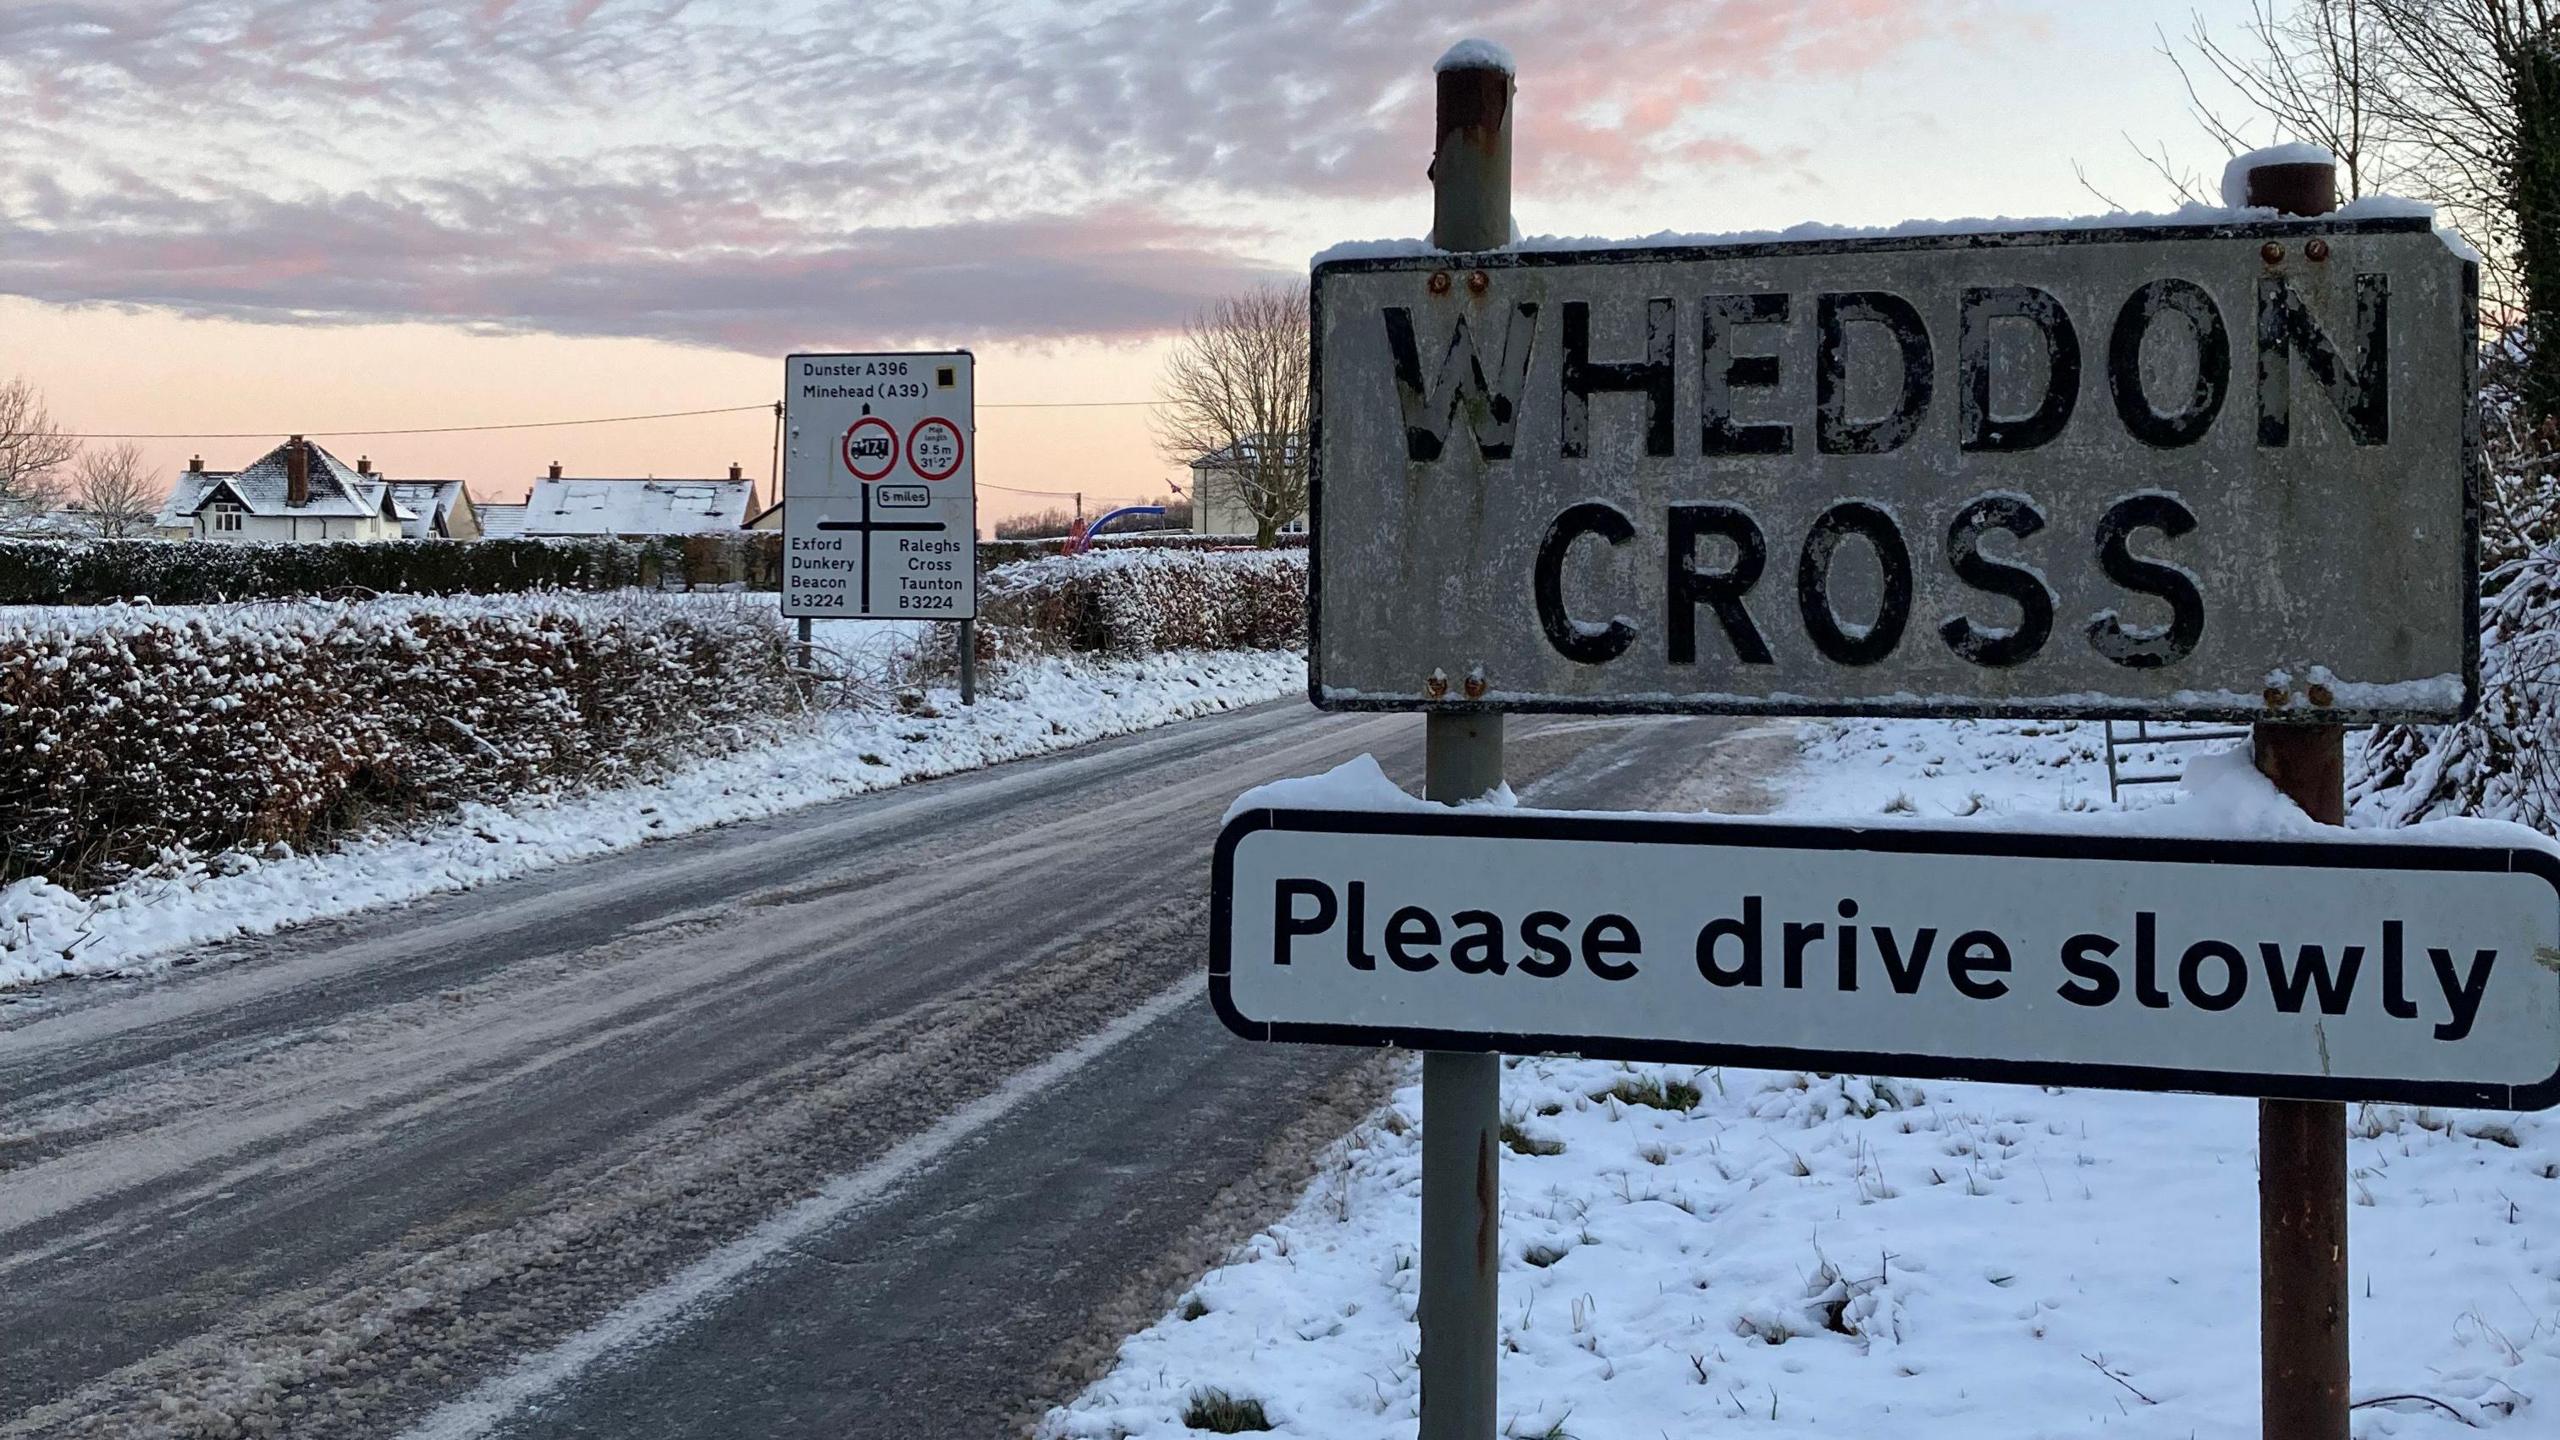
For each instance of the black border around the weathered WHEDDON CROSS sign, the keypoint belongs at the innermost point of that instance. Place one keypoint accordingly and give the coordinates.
(1919, 708)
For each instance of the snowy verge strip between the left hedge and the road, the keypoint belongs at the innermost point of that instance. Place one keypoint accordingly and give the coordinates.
(1033, 708)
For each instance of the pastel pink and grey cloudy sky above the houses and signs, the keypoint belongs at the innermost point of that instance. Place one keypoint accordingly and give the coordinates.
(360, 214)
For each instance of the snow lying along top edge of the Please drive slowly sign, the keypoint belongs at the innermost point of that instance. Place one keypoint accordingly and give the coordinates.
(2223, 798)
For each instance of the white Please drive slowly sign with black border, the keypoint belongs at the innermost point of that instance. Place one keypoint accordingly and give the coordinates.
(2331, 970)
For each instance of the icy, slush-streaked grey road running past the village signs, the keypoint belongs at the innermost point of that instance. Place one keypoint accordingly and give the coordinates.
(884, 1118)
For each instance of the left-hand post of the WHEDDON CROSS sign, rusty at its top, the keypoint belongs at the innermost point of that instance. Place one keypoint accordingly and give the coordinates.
(1463, 760)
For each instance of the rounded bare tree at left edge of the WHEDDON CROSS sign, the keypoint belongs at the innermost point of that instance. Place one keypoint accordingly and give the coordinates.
(1238, 396)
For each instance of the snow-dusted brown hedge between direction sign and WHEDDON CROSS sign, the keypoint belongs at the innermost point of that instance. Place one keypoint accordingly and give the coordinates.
(1140, 601)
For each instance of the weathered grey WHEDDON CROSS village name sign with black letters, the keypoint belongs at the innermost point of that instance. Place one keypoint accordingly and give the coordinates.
(2147, 473)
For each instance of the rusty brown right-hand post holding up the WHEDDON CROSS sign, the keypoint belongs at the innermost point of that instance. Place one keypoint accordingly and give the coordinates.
(2303, 1144)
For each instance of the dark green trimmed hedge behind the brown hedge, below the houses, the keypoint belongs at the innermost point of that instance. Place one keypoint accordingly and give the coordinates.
(204, 573)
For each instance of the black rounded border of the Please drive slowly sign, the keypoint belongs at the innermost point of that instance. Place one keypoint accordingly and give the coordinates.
(1990, 844)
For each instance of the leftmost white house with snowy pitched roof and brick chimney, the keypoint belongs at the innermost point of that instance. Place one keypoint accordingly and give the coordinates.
(291, 493)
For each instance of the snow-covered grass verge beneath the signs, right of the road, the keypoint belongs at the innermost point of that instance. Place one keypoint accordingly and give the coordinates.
(1816, 1257)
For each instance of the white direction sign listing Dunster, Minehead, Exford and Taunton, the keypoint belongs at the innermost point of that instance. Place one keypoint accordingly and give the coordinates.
(879, 488)
